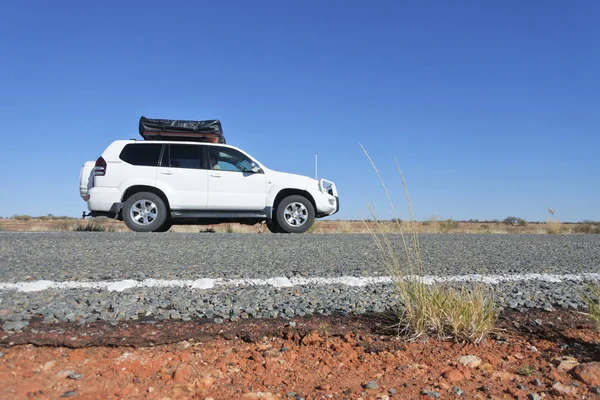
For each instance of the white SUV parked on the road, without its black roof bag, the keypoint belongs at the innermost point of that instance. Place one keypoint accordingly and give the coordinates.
(152, 185)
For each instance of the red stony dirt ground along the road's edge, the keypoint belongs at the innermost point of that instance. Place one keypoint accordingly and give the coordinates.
(318, 358)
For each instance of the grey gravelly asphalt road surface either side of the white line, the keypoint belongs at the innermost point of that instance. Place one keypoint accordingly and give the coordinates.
(100, 256)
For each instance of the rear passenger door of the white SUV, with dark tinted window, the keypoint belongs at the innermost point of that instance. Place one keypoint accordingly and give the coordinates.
(183, 174)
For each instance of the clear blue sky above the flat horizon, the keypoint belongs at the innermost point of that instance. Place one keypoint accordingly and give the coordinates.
(491, 108)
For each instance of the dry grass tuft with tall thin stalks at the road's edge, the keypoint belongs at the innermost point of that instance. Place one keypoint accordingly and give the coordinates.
(460, 312)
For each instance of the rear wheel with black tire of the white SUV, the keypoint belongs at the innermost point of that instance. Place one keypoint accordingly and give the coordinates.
(153, 221)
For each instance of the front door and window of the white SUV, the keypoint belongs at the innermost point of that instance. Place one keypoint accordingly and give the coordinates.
(232, 184)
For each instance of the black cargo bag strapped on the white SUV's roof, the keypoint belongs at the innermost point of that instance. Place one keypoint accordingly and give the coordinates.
(191, 131)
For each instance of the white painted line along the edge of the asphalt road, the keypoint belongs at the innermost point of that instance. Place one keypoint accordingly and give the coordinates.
(282, 282)
